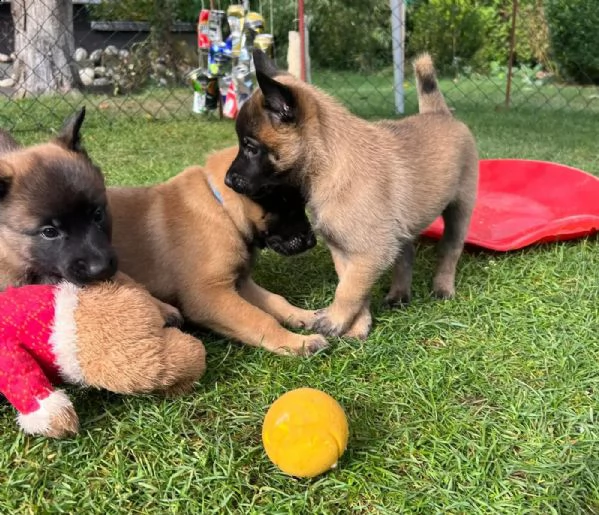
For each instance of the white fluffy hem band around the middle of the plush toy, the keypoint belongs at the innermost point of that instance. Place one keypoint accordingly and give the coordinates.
(64, 333)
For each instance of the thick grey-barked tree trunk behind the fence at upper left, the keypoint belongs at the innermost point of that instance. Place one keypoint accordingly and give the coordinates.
(44, 47)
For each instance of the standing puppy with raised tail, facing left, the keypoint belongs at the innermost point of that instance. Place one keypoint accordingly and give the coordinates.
(372, 187)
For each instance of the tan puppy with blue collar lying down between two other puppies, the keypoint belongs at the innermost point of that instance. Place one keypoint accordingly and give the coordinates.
(191, 242)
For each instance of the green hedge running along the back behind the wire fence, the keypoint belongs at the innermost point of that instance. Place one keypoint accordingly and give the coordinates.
(356, 34)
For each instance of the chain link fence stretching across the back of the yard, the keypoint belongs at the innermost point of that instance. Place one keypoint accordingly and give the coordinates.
(132, 58)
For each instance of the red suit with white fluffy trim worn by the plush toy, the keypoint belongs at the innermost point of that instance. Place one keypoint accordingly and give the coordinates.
(37, 349)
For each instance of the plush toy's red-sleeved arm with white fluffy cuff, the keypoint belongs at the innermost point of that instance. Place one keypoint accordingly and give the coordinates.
(25, 385)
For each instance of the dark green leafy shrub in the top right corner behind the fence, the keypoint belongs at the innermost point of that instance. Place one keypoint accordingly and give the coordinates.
(574, 42)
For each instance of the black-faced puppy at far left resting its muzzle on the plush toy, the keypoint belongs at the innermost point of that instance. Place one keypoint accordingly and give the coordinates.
(54, 219)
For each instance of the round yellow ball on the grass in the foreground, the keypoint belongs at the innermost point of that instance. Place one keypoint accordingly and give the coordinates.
(305, 432)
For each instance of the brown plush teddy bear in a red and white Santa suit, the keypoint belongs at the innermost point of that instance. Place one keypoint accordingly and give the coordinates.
(107, 335)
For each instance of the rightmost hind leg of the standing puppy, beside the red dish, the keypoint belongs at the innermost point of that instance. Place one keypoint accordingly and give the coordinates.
(457, 219)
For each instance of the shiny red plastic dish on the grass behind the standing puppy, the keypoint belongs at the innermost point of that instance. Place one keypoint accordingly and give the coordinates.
(521, 202)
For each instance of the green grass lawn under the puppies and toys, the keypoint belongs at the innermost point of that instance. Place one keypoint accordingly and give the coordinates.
(484, 404)
